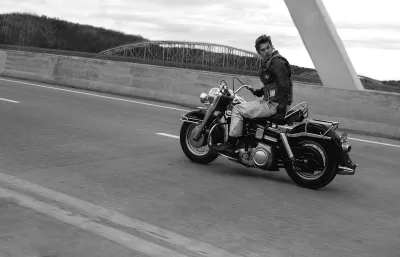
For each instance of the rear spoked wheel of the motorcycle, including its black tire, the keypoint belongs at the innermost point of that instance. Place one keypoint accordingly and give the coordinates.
(317, 165)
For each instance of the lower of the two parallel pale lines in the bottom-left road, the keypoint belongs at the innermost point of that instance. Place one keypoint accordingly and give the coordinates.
(131, 242)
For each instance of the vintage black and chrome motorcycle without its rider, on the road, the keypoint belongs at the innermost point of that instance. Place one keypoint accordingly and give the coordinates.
(310, 150)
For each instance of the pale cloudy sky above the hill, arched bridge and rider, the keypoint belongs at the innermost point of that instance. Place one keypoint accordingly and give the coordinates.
(370, 30)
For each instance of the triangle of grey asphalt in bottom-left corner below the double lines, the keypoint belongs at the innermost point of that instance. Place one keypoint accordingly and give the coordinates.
(24, 232)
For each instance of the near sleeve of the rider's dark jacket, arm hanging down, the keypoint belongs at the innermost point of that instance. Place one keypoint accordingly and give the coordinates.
(282, 77)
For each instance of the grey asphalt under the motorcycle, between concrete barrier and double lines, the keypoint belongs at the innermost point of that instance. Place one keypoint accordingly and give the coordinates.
(106, 150)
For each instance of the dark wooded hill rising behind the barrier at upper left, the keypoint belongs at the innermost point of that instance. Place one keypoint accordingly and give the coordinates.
(26, 29)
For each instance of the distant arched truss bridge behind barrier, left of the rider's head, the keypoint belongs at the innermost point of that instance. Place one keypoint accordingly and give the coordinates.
(191, 54)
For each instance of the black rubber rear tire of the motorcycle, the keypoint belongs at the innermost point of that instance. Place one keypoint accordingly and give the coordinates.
(321, 150)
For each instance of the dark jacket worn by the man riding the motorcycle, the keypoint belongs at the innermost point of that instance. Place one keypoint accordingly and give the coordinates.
(276, 74)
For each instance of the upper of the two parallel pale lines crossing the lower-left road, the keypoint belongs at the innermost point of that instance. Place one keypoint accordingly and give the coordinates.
(96, 211)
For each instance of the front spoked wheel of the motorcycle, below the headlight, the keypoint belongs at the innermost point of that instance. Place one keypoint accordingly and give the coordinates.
(196, 151)
